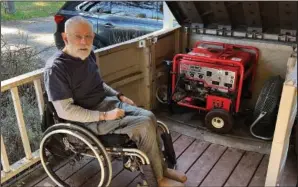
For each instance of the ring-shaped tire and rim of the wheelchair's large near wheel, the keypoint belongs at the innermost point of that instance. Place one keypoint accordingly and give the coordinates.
(83, 135)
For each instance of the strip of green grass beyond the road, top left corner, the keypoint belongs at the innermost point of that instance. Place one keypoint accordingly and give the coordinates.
(31, 9)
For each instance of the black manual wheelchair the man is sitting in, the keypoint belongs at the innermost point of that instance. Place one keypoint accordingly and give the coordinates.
(63, 141)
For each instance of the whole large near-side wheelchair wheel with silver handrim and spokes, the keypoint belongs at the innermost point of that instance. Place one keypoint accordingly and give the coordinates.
(73, 144)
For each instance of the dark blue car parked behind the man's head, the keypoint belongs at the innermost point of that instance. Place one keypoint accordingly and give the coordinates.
(113, 21)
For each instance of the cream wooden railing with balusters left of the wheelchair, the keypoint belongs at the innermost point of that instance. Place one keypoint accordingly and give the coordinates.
(30, 158)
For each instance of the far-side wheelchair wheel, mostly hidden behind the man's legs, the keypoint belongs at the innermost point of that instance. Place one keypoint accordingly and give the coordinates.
(167, 145)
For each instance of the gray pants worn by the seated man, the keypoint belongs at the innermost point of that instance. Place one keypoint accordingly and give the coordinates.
(139, 124)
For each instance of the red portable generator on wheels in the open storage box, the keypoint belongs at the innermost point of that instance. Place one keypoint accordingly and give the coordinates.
(214, 77)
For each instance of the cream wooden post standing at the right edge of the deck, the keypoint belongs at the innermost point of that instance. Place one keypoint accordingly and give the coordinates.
(283, 128)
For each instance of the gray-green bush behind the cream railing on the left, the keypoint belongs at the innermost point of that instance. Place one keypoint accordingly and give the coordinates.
(17, 60)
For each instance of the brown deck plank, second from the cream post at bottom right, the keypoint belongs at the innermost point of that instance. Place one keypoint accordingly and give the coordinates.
(245, 170)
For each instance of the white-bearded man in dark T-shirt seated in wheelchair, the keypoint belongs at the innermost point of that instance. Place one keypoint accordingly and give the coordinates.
(79, 95)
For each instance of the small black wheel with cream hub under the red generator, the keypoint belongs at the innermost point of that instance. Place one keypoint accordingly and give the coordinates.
(219, 121)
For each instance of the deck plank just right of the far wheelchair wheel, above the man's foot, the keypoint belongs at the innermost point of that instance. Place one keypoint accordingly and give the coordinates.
(191, 155)
